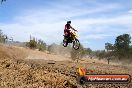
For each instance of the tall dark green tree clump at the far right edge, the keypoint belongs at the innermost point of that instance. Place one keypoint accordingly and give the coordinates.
(122, 47)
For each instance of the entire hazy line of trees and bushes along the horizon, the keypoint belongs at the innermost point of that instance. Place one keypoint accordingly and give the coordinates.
(121, 49)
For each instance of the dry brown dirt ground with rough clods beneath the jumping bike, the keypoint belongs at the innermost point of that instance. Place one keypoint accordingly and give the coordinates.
(19, 69)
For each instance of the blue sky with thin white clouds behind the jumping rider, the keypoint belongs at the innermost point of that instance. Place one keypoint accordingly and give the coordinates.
(97, 21)
